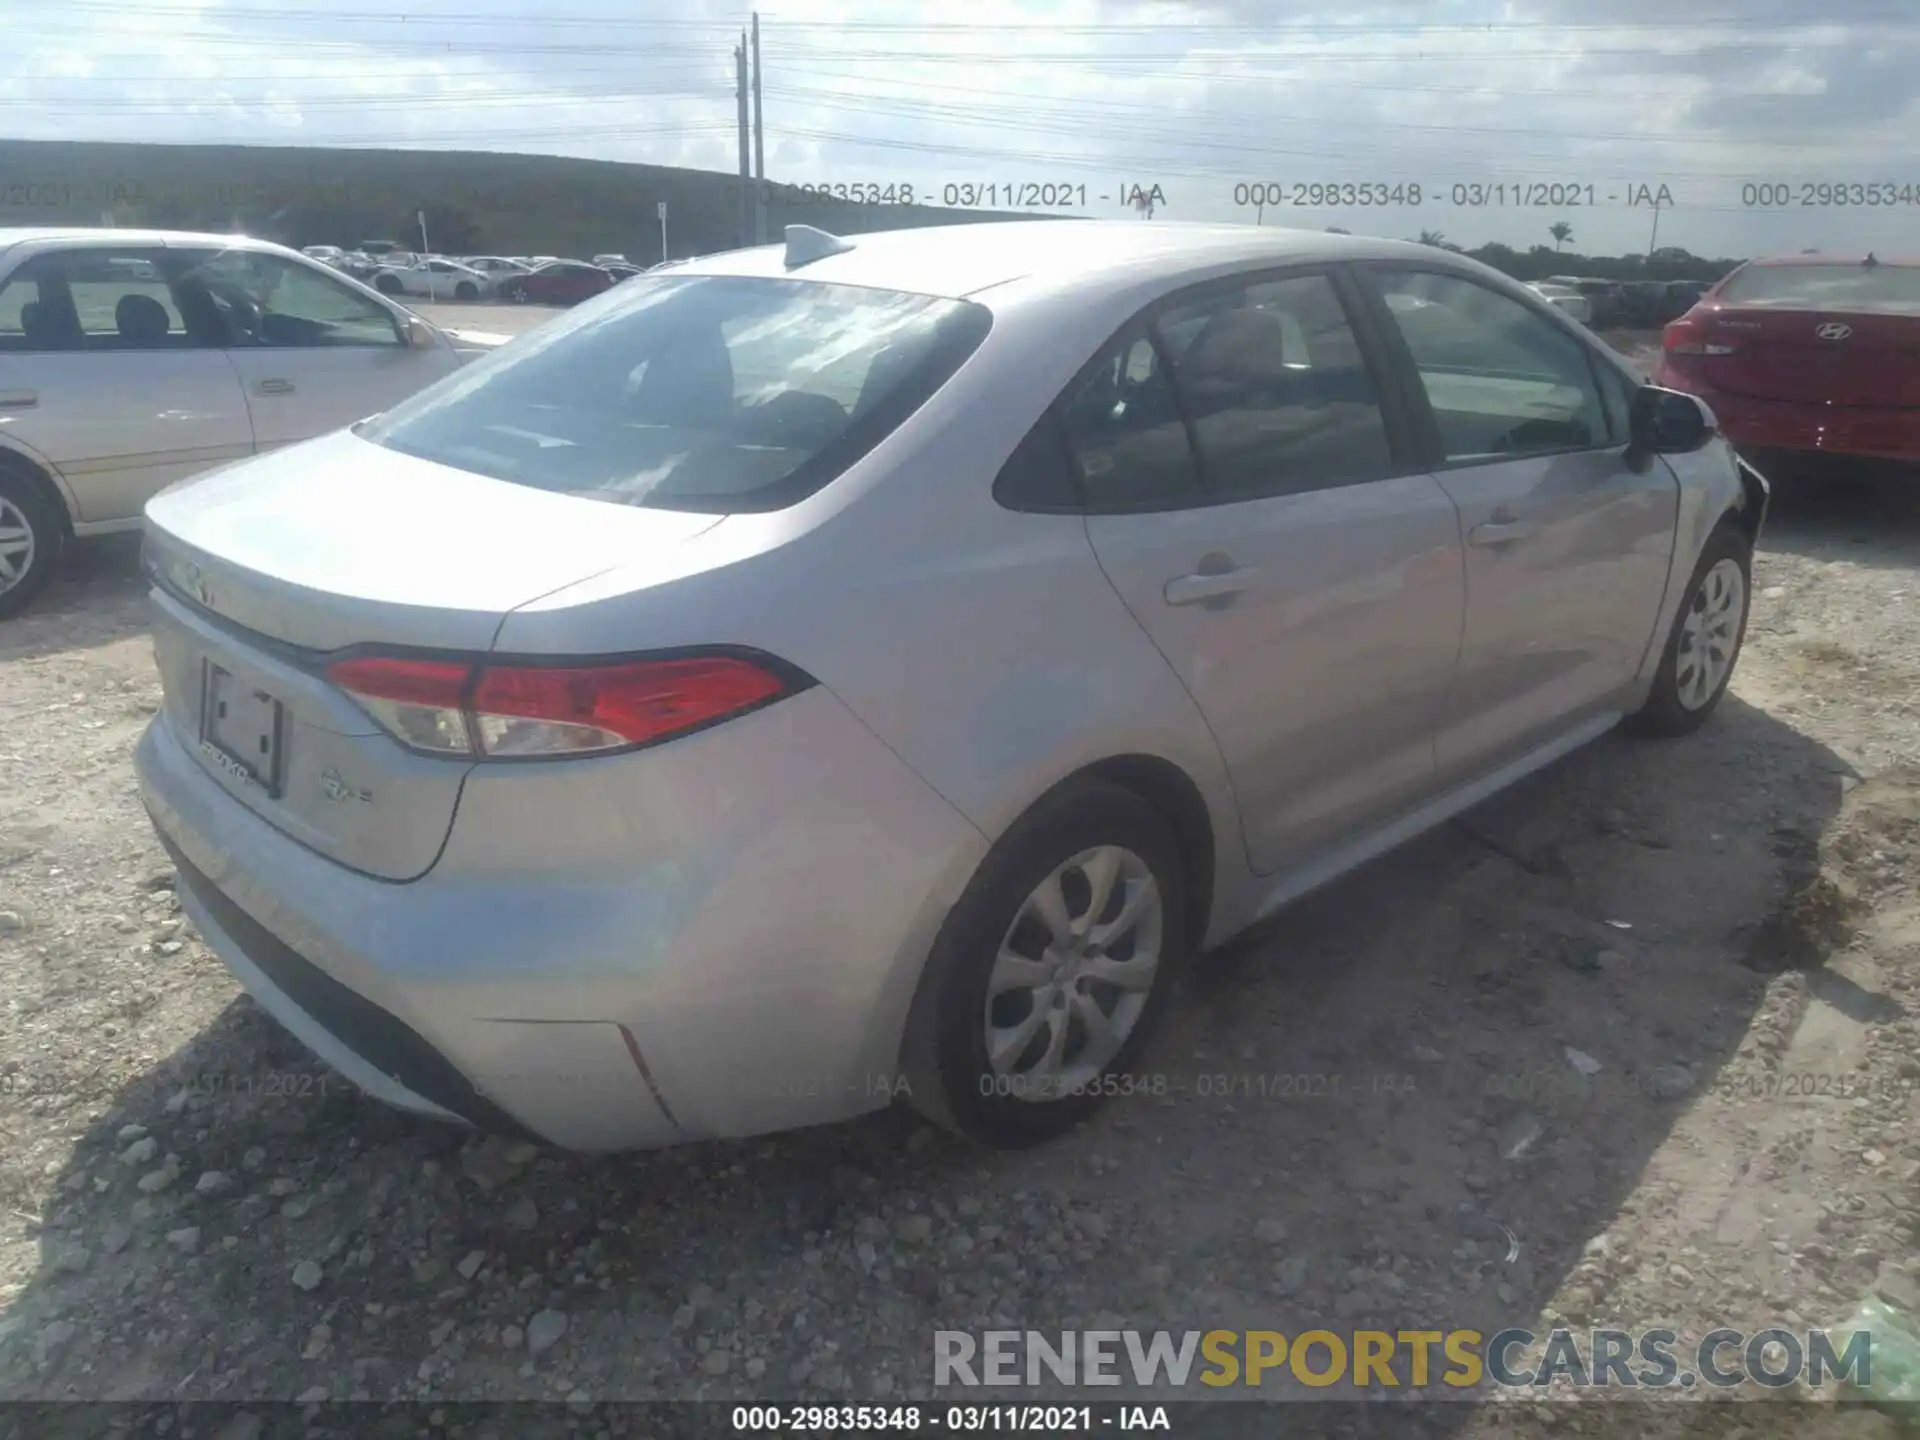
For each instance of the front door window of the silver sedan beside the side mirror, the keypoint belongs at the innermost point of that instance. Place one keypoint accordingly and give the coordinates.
(1502, 379)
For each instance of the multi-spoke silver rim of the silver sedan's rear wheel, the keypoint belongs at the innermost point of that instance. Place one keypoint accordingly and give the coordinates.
(1074, 974)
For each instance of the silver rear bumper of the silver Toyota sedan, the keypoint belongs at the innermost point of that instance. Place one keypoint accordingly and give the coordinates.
(592, 963)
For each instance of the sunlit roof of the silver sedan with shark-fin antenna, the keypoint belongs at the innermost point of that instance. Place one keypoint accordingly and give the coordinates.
(1051, 256)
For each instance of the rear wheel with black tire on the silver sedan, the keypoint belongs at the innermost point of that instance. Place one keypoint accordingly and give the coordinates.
(1051, 972)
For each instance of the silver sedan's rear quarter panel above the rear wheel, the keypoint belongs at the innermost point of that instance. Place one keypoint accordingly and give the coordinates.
(984, 646)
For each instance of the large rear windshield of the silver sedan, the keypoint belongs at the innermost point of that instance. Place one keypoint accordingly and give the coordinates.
(694, 393)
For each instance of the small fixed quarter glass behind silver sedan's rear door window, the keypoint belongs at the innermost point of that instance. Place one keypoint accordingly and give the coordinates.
(1126, 433)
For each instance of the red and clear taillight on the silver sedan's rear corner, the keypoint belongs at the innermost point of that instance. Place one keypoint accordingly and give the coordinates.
(523, 711)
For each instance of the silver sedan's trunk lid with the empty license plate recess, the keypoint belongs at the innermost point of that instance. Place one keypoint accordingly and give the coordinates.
(256, 587)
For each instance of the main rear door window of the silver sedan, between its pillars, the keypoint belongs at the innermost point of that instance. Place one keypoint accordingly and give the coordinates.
(1278, 391)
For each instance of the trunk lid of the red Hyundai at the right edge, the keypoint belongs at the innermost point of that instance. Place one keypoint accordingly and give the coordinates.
(1819, 356)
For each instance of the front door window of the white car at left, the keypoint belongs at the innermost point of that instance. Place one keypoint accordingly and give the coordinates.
(274, 302)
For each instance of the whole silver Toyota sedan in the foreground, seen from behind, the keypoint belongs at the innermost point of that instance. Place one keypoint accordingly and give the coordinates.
(815, 805)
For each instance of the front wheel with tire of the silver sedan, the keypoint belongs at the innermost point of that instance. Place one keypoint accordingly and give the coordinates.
(1706, 640)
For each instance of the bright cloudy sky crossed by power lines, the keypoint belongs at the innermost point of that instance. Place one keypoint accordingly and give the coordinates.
(1746, 112)
